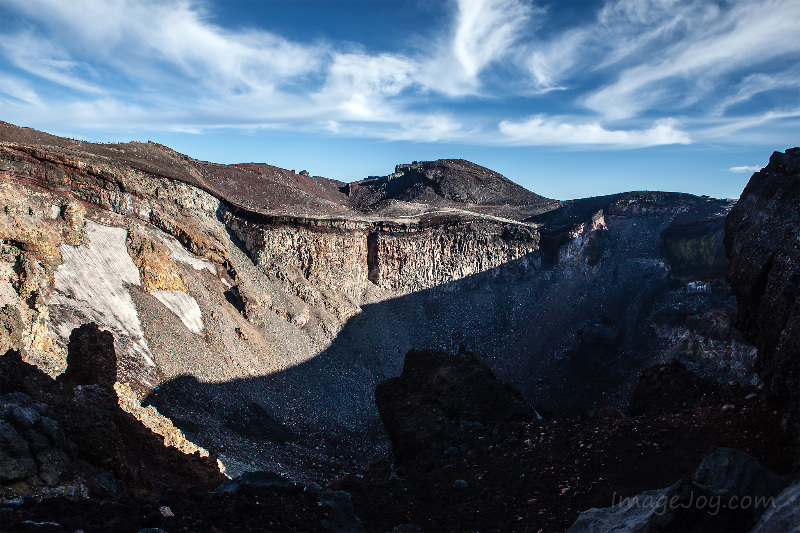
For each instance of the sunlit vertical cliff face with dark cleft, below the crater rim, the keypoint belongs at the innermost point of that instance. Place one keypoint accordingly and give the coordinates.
(356, 257)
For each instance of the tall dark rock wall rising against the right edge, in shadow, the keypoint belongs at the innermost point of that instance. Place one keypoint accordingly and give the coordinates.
(762, 241)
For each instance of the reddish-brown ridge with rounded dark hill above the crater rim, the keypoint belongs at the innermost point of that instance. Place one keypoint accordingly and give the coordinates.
(455, 183)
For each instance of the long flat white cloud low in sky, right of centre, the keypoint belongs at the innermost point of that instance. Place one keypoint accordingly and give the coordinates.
(541, 131)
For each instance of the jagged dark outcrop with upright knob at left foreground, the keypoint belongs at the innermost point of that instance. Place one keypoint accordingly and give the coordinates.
(70, 434)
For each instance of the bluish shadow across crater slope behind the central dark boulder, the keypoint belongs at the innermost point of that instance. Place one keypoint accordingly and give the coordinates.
(571, 331)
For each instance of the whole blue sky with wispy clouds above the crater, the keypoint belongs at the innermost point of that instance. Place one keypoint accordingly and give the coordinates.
(569, 99)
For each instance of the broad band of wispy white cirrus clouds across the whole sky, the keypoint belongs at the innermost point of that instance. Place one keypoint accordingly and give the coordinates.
(632, 74)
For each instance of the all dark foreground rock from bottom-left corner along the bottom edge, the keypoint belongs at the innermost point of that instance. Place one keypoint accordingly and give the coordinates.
(72, 459)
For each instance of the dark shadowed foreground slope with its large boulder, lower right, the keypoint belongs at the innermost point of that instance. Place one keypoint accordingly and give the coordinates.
(504, 474)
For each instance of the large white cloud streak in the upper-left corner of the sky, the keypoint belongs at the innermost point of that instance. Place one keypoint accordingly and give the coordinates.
(149, 38)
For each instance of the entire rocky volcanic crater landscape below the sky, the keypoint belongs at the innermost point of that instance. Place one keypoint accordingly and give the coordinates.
(255, 319)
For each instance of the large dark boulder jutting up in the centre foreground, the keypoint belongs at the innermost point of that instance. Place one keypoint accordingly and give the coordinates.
(437, 393)
